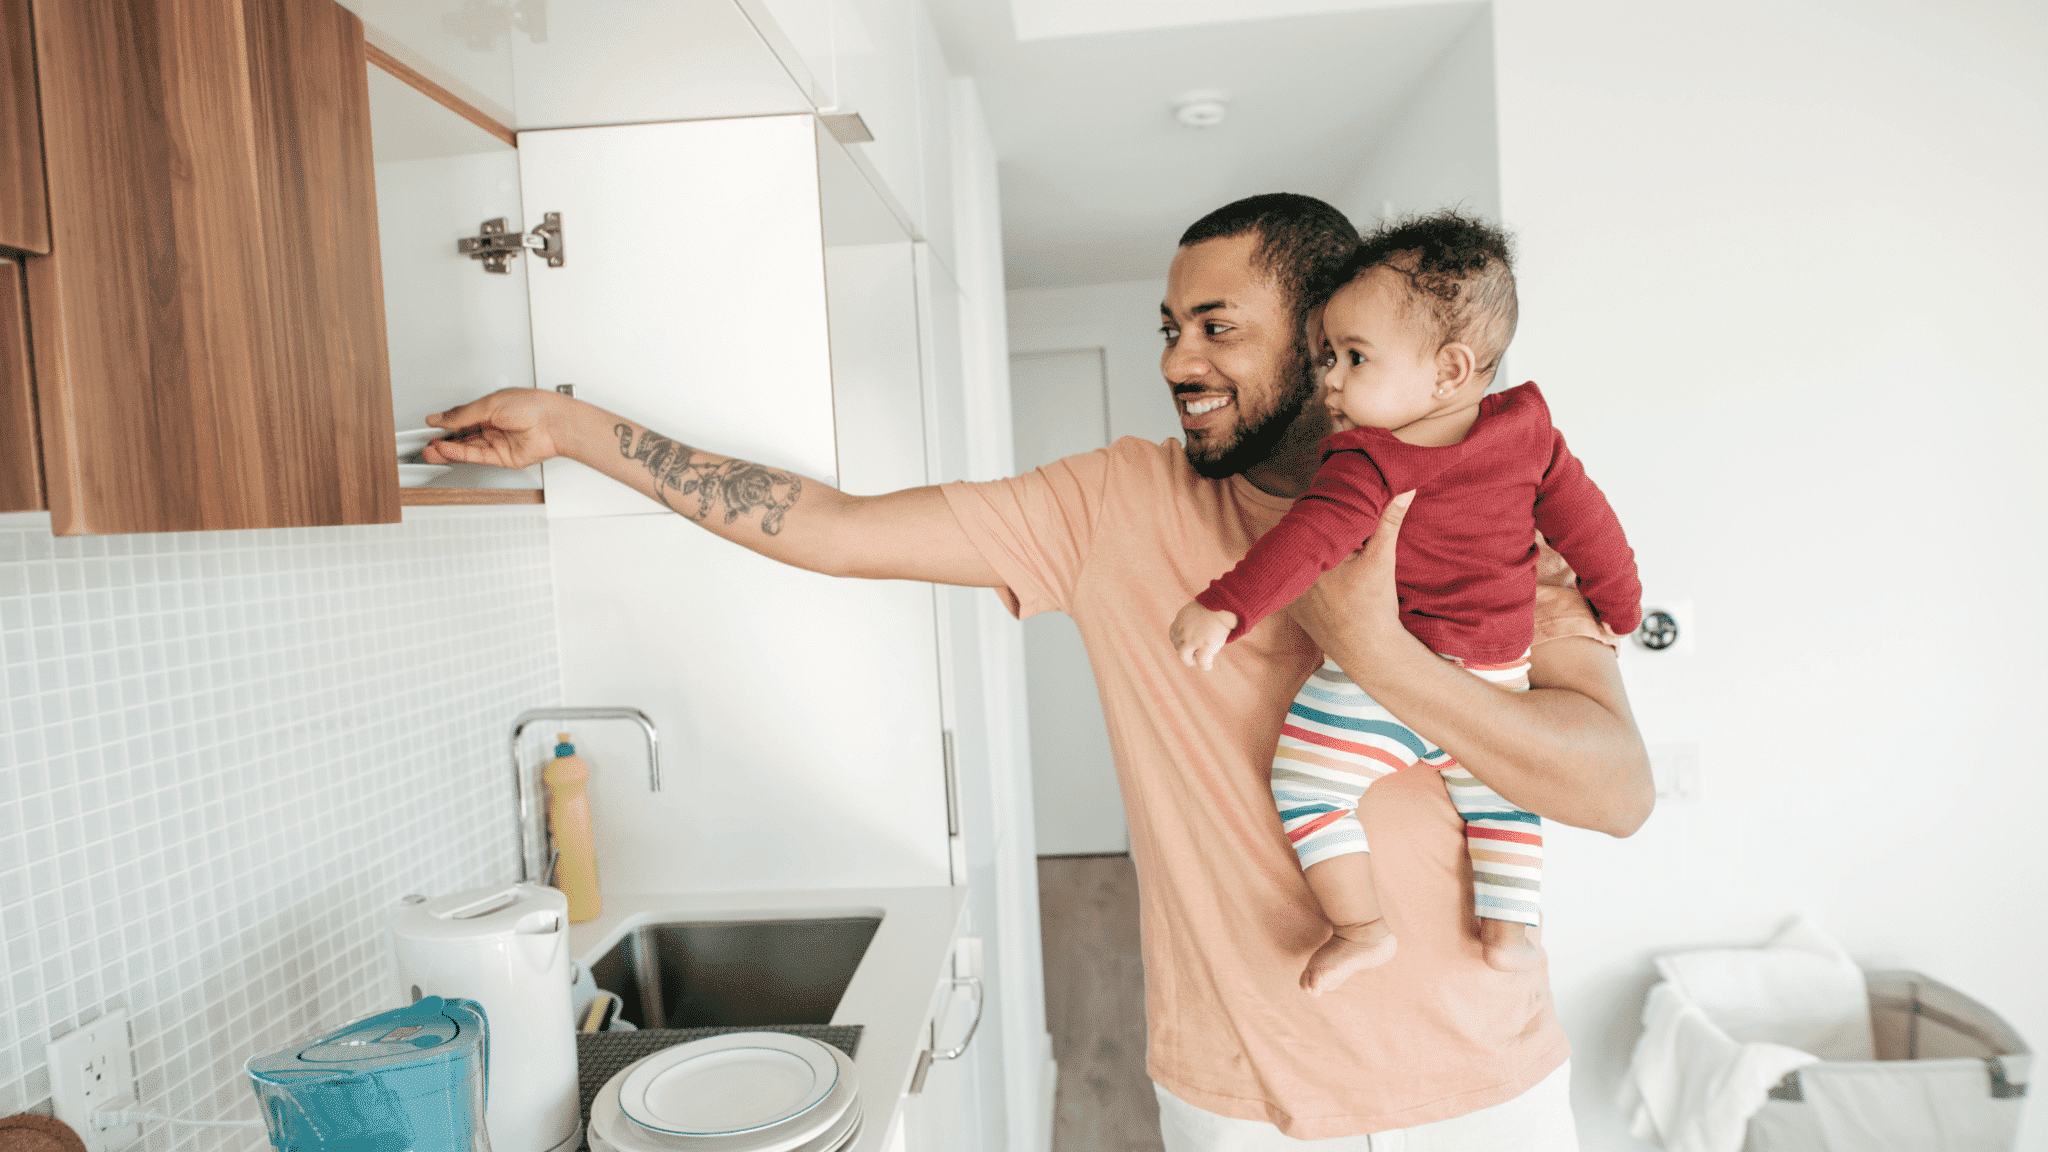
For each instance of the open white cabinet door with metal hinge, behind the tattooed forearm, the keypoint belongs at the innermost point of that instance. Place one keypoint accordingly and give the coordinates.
(693, 298)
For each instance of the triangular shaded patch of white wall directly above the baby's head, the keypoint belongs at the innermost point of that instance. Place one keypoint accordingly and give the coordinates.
(1441, 149)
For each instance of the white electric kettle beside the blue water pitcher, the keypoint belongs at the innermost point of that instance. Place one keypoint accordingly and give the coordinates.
(507, 948)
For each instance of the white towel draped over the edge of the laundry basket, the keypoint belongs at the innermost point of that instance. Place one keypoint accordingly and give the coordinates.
(1727, 1024)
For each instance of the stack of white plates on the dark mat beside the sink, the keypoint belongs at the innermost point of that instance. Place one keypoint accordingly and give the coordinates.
(751, 1092)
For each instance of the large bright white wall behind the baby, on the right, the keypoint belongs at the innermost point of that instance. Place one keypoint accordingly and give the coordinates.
(1783, 282)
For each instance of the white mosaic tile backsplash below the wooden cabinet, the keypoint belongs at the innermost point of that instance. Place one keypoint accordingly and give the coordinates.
(222, 762)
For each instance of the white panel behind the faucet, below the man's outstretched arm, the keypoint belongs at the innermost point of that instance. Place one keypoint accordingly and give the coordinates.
(800, 714)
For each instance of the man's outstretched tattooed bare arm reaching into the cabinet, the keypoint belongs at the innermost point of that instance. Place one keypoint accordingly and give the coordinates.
(796, 520)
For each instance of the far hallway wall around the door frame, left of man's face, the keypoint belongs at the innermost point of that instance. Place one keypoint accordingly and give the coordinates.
(1123, 321)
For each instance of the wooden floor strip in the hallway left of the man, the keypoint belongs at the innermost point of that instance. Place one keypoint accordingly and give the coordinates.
(1095, 1005)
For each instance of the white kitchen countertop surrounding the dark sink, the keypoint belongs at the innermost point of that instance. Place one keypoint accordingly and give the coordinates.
(890, 995)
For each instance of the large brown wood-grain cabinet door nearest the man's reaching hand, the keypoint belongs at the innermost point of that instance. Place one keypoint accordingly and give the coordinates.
(208, 323)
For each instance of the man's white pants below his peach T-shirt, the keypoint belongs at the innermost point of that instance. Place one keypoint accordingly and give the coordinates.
(1539, 1120)
